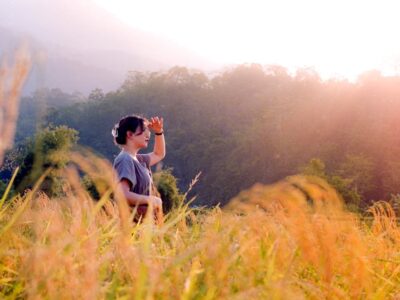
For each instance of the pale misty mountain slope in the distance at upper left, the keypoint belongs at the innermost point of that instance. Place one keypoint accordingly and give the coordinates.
(78, 46)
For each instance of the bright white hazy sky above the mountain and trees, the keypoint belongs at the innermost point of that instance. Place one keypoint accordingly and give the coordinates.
(337, 38)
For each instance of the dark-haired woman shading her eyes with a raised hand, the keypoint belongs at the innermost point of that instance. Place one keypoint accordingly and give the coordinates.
(133, 173)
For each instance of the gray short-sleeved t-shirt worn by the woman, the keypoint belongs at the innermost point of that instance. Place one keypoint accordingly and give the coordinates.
(135, 170)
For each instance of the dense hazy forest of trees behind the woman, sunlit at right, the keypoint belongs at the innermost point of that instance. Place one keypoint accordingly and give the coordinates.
(246, 125)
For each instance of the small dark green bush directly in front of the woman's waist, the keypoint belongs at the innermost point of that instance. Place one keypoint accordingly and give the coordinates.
(166, 185)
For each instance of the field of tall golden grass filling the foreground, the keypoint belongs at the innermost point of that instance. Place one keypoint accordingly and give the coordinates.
(291, 240)
